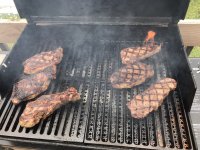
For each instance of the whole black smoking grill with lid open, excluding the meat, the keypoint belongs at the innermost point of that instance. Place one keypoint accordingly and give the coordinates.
(92, 33)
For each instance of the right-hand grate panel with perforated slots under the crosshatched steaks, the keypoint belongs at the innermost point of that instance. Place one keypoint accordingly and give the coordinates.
(110, 123)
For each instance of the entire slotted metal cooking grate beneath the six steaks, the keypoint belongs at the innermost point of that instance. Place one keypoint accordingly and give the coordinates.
(101, 117)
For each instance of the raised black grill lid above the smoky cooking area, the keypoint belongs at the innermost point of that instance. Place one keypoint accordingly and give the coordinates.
(169, 10)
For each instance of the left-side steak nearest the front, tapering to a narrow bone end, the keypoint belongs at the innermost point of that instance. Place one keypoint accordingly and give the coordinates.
(45, 105)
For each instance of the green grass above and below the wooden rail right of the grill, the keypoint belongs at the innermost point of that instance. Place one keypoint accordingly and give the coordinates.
(194, 13)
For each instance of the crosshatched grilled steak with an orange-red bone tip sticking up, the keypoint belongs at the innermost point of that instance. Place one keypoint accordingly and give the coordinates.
(133, 54)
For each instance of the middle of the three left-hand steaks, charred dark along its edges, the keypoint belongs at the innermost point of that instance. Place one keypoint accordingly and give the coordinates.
(32, 85)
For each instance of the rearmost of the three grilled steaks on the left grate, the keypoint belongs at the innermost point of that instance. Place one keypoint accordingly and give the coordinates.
(43, 60)
